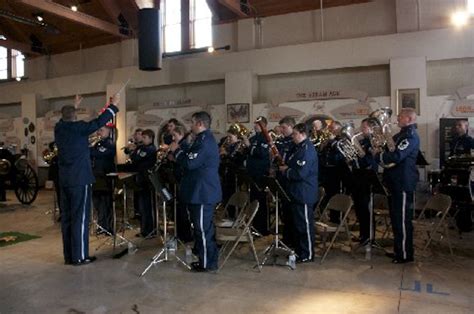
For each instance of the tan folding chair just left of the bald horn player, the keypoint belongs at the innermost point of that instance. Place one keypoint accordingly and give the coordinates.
(343, 204)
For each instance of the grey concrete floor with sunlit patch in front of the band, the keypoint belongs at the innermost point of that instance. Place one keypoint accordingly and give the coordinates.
(33, 279)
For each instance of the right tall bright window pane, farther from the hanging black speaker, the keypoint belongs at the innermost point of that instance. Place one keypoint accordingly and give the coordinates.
(200, 24)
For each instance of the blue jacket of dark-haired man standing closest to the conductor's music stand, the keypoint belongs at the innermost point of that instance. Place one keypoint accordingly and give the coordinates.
(200, 162)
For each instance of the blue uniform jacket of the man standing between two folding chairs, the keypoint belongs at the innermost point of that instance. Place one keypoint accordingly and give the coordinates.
(302, 173)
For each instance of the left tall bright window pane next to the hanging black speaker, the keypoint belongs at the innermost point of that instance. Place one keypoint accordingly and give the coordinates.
(171, 25)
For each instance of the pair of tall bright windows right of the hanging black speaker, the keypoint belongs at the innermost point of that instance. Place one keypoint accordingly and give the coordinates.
(180, 34)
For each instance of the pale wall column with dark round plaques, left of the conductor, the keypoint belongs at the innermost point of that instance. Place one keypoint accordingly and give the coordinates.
(29, 138)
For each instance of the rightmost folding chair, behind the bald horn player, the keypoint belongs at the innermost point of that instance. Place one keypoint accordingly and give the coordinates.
(440, 204)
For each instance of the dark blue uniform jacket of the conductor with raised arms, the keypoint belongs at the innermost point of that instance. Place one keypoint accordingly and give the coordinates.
(72, 139)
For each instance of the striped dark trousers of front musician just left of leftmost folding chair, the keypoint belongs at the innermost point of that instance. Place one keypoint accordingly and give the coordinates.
(204, 234)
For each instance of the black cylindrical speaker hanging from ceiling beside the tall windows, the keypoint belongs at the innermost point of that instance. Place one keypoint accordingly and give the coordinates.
(149, 52)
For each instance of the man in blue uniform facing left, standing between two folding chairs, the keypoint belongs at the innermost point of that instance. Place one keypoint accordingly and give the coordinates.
(302, 176)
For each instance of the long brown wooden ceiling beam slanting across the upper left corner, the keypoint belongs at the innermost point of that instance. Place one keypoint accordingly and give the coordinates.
(77, 17)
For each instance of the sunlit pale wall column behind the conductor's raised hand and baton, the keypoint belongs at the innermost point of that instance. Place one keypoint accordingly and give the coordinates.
(120, 120)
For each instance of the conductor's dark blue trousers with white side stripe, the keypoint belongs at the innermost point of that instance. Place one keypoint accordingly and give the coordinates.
(75, 207)
